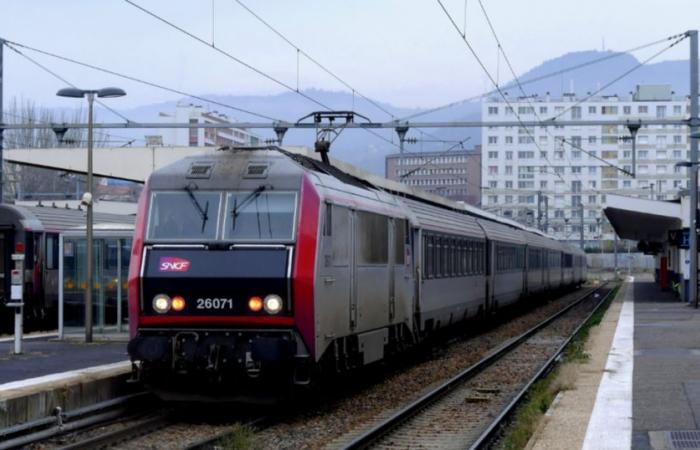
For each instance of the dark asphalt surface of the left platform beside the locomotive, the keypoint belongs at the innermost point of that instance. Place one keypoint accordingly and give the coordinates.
(44, 357)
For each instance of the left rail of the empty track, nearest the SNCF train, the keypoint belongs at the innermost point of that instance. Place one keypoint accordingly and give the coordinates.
(414, 408)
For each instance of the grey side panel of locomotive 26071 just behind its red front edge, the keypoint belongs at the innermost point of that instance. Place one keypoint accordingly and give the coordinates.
(334, 308)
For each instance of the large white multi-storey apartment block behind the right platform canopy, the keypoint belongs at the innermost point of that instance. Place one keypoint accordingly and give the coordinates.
(519, 164)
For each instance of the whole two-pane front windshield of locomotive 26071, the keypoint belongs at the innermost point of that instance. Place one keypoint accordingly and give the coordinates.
(248, 216)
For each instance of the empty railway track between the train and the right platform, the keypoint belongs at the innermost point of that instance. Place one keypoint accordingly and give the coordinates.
(471, 408)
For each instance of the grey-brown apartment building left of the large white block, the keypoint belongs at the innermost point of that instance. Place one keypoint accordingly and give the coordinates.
(452, 174)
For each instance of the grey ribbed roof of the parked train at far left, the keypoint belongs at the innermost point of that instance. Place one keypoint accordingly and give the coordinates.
(49, 218)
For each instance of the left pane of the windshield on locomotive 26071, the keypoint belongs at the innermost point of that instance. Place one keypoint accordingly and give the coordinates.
(179, 216)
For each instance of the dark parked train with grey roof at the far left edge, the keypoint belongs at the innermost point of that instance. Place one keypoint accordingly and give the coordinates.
(34, 231)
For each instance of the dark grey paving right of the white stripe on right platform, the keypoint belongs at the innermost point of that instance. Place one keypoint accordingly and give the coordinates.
(666, 392)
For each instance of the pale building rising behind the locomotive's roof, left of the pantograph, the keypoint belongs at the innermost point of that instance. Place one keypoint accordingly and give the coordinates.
(200, 137)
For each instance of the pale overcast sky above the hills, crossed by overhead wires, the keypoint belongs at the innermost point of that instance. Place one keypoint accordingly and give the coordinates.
(404, 52)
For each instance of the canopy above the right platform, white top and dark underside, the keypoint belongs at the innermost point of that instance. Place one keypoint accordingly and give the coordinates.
(641, 219)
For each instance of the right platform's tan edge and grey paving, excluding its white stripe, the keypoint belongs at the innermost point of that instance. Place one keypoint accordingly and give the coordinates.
(665, 382)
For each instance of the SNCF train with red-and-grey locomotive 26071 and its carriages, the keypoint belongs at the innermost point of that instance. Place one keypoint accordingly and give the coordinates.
(266, 268)
